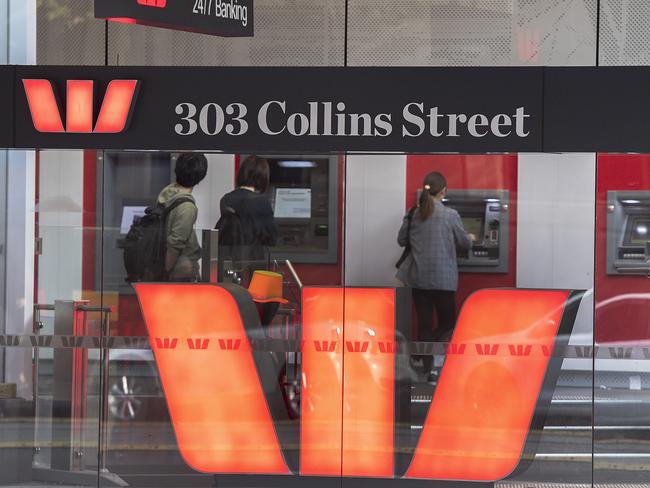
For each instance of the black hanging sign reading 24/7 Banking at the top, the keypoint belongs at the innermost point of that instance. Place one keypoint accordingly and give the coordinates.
(231, 18)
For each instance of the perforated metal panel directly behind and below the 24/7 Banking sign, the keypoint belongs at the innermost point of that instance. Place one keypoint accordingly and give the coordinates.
(287, 33)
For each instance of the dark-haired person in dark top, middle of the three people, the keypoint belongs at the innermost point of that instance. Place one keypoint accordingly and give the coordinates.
(246, 226)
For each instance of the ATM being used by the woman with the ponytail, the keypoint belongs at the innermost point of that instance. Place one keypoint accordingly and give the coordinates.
(486, 214)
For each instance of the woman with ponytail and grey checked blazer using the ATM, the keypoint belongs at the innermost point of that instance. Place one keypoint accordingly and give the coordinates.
(431, 268)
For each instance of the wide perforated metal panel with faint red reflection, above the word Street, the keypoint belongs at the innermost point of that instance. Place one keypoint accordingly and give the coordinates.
(472, 33)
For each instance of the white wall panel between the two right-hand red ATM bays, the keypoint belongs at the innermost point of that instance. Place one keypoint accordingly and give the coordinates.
(555, 227)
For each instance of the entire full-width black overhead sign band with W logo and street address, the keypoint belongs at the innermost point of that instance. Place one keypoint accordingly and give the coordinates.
(285, 110)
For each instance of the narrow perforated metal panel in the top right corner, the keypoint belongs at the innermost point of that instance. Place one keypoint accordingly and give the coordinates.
(624, 32)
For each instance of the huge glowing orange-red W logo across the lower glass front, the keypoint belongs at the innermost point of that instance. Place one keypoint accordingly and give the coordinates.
(224, 407)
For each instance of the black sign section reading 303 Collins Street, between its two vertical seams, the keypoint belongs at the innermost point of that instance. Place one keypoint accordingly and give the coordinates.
(303, 109)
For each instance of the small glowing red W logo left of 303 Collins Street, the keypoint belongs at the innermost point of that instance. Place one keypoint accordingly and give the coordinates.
(114, 111)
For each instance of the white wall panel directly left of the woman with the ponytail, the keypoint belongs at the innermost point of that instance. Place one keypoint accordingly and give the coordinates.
(375, 199)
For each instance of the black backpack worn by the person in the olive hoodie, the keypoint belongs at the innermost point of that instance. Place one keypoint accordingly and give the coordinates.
(145, 245)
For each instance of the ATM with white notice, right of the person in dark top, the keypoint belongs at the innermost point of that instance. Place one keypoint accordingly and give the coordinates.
(303, 191)
